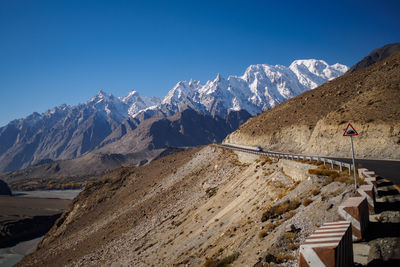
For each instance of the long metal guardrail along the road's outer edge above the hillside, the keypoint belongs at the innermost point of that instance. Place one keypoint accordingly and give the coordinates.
(293, 156)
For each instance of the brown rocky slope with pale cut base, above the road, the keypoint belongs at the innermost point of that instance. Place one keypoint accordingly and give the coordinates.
(314, 122)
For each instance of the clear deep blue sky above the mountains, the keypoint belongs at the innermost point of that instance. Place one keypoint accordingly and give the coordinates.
(54, 52)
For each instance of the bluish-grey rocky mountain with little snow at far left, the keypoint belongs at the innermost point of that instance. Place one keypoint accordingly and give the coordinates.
(63, 132)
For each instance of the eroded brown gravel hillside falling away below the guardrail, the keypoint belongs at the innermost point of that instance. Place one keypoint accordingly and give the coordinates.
(195, 207)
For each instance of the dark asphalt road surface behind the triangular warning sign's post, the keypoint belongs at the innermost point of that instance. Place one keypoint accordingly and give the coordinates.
(388, 169)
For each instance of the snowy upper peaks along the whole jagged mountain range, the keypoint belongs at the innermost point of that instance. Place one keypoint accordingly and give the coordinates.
(260, 87)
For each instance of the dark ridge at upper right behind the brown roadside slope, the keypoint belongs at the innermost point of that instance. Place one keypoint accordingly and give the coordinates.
(376, 56)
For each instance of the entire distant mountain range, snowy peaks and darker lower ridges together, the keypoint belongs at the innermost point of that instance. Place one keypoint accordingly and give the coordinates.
(106, 122)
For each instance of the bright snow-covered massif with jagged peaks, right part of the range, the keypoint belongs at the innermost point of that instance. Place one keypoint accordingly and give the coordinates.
(259, 88)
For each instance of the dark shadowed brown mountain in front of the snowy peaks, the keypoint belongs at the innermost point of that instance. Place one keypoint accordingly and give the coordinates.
(186, 128)
